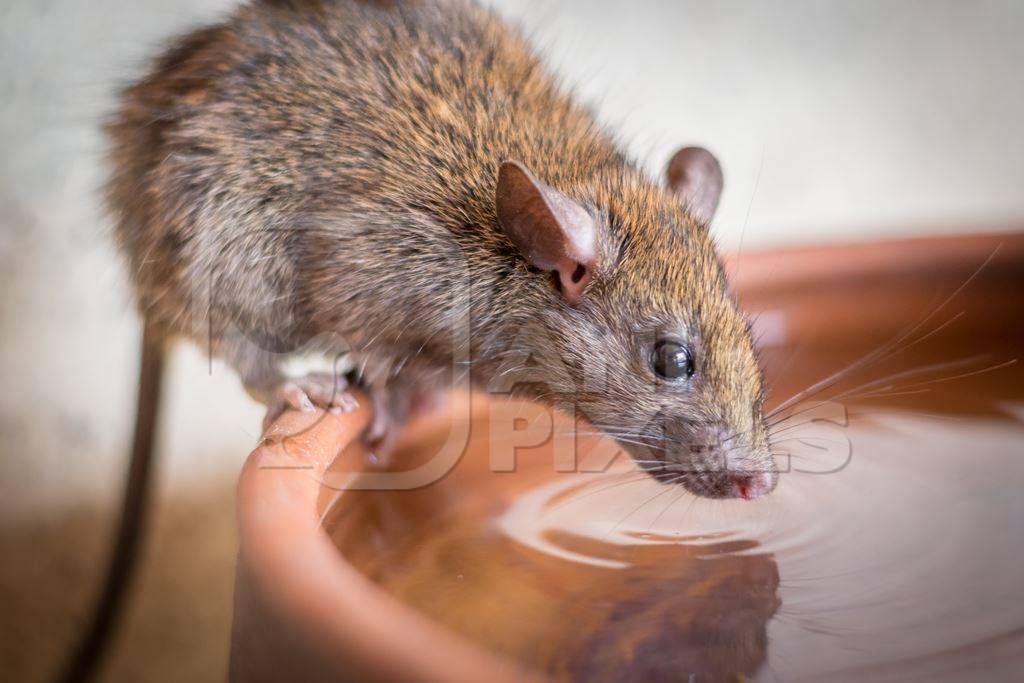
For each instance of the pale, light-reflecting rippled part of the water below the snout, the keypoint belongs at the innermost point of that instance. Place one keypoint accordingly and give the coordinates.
(892, 566)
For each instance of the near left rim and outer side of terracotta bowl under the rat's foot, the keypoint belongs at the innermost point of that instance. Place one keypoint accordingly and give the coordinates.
(295, 590)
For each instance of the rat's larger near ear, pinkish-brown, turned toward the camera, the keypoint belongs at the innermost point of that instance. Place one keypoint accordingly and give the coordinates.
(551, 231)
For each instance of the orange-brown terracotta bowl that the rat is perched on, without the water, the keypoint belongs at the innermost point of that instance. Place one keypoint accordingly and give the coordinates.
(305, 608)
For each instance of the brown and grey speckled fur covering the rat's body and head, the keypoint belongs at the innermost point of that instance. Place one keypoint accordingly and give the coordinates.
(315, 172)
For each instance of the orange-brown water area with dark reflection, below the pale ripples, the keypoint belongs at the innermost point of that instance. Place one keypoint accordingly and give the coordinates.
(673, 608)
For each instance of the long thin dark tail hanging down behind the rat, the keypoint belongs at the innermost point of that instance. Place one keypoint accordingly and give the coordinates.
(89, 653)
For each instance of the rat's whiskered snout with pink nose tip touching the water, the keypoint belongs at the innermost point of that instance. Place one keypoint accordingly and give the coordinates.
(722, 464)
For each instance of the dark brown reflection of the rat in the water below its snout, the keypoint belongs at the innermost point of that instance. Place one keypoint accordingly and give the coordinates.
(679, 613)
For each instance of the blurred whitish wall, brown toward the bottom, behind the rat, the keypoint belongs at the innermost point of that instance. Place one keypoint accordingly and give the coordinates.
(834, 120)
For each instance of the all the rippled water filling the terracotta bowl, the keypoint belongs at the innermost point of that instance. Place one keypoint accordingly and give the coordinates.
(906, 564)
